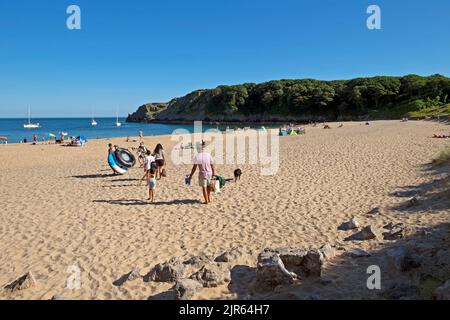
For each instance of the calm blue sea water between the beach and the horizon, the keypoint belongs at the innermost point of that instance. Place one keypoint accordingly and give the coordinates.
(15, 132)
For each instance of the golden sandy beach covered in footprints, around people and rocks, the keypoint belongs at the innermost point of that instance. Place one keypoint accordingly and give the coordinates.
(62, 207)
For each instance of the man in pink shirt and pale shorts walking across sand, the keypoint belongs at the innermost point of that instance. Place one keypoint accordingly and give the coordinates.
(204, 161)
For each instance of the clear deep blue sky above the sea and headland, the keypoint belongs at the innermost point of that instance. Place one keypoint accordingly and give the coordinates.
(132, 52)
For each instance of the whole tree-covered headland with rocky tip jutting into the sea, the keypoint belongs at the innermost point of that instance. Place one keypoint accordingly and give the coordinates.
(305, 100)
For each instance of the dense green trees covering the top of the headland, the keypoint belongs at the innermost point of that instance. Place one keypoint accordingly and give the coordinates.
(389, 96)
